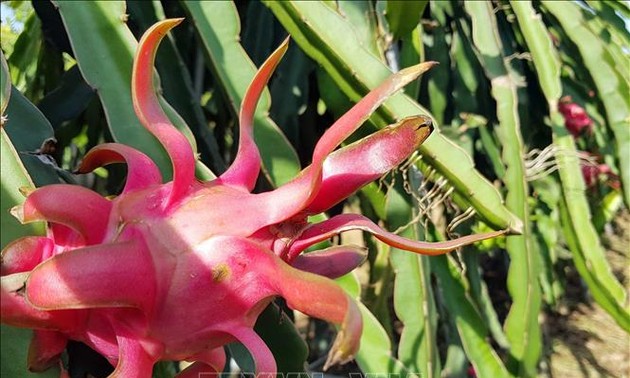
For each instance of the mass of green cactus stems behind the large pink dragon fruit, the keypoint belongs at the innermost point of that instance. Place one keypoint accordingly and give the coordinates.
(532, 104)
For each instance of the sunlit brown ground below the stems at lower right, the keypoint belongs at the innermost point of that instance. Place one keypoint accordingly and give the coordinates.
(584, 340)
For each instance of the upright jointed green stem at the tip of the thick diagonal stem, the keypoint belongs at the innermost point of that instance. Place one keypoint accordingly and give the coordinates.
(521, 324)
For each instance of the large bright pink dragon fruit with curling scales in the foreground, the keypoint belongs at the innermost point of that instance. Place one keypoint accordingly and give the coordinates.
(174, 271)
